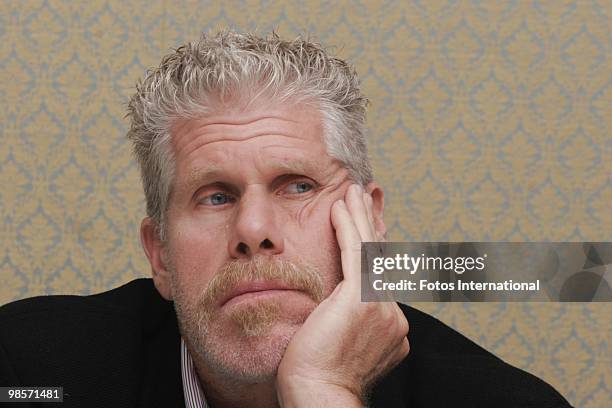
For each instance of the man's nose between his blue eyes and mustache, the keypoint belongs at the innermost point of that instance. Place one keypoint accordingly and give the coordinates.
(256, 227)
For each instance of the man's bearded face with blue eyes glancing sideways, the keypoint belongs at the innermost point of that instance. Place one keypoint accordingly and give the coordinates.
(251, 188)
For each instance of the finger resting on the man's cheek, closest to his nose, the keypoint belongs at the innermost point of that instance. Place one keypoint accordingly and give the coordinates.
(348, 241)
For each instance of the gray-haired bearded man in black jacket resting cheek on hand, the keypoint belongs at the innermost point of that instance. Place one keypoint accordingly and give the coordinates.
(259, 194)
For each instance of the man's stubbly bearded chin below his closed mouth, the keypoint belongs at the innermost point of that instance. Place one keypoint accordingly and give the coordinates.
(245, 342)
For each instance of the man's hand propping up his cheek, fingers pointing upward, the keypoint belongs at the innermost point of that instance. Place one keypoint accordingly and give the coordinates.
(345, 344)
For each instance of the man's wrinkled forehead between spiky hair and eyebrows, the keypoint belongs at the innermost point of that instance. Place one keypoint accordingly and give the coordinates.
(289, 138)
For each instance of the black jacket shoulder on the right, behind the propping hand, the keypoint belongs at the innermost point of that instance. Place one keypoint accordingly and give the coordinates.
(445, 368)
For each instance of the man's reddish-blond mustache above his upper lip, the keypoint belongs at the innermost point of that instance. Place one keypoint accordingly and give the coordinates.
(297, 276)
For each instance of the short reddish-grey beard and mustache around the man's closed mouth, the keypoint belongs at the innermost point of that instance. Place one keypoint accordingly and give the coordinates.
(245, 343)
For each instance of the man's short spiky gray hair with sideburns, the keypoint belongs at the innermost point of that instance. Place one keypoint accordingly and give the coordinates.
(203, 76)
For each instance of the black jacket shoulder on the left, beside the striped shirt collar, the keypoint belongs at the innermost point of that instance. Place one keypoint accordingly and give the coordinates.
(95, 346)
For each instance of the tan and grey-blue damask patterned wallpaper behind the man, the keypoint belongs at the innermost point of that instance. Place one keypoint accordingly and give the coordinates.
(489, 121)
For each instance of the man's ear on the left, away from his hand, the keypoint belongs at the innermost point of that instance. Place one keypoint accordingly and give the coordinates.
(156, 253)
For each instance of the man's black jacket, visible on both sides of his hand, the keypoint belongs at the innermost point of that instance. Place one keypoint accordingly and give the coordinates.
(121, 348)
